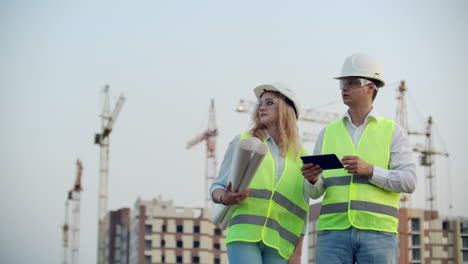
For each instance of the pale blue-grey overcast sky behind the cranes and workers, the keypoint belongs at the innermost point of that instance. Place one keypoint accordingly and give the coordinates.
(169, 58)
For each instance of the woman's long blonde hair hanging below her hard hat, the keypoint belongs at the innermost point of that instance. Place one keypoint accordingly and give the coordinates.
(287, 128)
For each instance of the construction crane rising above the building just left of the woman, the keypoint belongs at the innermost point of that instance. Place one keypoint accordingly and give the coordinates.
(209, 135)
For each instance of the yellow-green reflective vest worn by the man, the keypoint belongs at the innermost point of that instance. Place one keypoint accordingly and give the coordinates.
(351, 200)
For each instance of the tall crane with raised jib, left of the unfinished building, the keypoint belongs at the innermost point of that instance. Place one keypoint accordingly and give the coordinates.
(102, 139)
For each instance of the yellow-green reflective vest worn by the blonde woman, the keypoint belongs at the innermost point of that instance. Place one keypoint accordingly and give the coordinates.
(272, 213)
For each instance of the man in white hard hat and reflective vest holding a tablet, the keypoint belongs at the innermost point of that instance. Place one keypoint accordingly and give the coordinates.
(359, 216)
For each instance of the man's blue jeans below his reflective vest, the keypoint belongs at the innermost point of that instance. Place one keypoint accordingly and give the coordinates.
(356, 245)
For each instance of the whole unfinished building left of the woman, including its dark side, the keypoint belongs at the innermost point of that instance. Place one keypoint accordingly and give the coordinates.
(155, 231)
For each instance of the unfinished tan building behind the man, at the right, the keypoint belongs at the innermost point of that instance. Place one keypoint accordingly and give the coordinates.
(423, 237)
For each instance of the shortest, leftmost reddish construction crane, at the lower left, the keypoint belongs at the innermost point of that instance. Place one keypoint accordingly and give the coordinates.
(74, 195)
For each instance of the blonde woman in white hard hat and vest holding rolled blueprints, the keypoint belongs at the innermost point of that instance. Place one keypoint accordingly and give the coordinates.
(269, 224)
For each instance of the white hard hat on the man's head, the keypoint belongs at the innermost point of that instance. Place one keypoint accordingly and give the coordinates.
(363, 65)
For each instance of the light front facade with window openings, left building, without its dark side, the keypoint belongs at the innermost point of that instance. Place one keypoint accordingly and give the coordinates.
(163, 233)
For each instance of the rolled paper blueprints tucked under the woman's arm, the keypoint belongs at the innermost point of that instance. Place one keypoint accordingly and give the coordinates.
(246, 160)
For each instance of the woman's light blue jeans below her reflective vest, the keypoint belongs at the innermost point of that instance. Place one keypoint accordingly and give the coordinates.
(253, 253)
